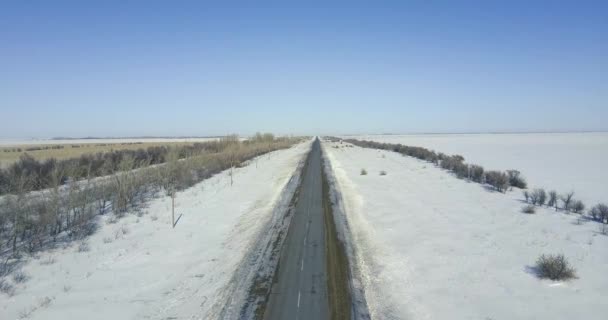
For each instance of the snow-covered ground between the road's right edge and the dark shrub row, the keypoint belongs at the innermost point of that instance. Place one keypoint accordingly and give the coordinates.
(431, 246)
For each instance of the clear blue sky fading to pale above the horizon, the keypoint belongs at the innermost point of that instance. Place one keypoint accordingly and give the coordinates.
(193, 68)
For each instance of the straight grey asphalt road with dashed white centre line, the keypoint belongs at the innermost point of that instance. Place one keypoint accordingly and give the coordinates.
(300, 291)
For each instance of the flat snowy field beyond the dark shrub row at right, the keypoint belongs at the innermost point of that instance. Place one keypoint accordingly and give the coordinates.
(561, 161)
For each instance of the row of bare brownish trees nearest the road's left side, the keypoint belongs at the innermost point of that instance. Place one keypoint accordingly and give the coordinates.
(66, 209)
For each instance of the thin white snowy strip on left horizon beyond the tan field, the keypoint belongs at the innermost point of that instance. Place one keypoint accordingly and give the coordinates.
(14, 142)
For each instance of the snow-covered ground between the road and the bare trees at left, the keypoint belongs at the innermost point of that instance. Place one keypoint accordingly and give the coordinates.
(140, 268)
